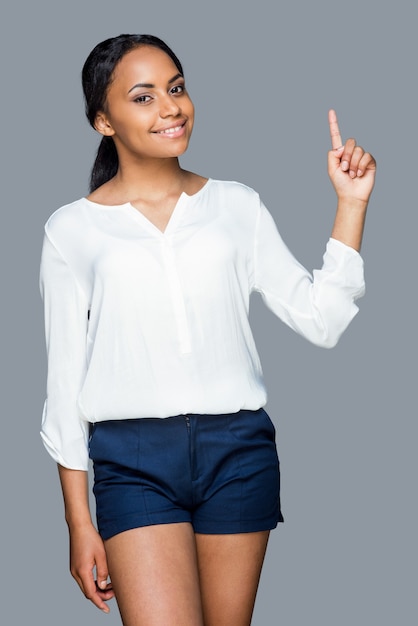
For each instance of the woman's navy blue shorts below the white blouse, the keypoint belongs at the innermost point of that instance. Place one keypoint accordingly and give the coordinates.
(218, 472)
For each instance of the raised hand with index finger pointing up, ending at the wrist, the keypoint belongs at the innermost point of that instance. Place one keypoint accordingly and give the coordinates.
(351, 169)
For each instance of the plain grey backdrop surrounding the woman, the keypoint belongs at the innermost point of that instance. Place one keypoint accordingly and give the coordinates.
(262, 77)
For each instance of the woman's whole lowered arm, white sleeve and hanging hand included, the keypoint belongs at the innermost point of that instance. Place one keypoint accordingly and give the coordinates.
(64, 433)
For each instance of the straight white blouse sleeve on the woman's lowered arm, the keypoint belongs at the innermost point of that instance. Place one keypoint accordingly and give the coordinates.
(63, 431)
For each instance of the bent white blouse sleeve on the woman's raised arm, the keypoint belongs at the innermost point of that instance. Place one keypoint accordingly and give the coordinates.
(319, 307)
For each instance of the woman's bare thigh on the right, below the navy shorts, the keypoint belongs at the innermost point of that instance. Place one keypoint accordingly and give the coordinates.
(229, 570)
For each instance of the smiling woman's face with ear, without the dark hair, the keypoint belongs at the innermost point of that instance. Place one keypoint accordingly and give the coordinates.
(148, 111)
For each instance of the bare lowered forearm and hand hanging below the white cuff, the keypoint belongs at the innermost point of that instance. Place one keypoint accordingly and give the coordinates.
(87, 553)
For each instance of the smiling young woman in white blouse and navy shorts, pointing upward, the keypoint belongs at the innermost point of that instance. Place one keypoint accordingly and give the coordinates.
(152, 368)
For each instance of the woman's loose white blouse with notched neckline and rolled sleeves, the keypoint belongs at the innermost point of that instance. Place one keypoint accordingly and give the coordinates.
(141, 323)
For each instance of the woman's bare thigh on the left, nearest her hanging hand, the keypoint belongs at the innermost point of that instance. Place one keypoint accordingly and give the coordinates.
(155, 576)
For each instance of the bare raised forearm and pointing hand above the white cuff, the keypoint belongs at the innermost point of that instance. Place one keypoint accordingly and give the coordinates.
(352, 173)
